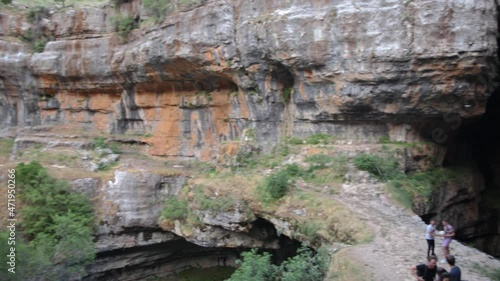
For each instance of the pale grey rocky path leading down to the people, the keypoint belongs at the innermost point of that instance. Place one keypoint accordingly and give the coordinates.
(399, 238)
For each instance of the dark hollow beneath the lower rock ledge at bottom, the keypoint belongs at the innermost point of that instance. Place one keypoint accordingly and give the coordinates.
(180, 260)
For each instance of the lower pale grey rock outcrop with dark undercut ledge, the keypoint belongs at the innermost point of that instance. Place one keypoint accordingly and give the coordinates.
(132, 244)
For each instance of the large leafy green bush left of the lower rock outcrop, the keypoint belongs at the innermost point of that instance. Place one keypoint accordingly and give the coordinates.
(58, 222)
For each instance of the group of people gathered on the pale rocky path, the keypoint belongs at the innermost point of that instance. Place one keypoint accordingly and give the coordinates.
(430, 271)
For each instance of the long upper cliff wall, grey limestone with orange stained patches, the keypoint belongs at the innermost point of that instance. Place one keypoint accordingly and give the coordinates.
(216, 68)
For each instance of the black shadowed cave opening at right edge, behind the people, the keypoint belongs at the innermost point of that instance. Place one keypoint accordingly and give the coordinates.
(477, 144)
